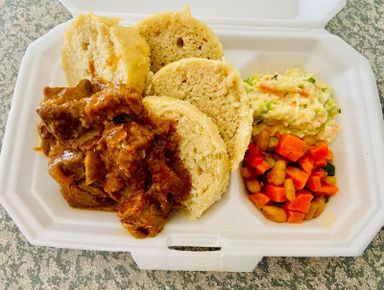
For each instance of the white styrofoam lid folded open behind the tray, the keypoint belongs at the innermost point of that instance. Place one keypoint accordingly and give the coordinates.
(277, 13)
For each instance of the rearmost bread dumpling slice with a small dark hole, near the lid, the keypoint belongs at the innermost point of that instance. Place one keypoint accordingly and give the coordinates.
(176, 35)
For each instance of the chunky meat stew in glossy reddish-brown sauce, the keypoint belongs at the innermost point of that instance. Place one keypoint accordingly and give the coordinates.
(107, 152)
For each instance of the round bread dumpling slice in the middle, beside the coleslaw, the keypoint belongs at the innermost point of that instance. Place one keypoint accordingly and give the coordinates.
(215, 88)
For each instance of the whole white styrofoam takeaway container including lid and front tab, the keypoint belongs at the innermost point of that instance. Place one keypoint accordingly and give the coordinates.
(257, 36)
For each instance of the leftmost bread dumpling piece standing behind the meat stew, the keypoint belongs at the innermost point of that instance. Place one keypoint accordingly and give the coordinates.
(98, 47)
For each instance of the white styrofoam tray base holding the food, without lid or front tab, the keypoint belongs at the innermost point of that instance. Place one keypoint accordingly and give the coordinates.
(350, 220)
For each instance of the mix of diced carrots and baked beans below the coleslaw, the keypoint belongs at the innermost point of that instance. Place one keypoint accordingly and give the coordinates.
(289, 179)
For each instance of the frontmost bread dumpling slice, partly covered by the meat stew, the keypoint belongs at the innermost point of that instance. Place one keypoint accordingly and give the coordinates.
(202, 151)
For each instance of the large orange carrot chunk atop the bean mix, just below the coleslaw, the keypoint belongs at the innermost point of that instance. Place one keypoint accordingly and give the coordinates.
(291, 147)
